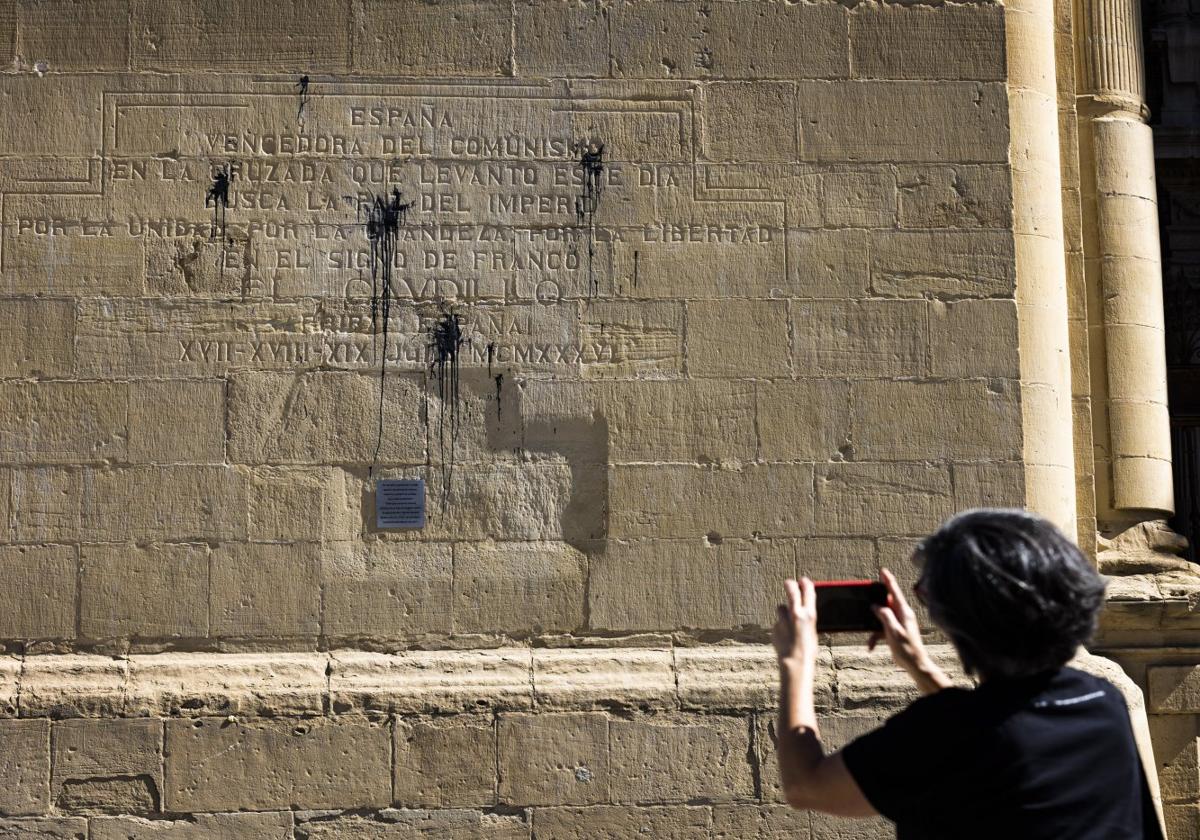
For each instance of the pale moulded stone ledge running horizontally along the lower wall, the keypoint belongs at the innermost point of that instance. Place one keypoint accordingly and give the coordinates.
(721, 677)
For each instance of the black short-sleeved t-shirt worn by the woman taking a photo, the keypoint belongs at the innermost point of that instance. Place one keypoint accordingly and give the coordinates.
(1049, 757)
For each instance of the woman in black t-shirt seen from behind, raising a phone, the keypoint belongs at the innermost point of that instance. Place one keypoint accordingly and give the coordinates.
(1035, 751)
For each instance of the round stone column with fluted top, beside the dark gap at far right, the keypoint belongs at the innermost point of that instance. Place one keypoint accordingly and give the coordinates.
(1124, 284)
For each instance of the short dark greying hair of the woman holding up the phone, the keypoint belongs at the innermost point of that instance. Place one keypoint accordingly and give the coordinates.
(1013, 595)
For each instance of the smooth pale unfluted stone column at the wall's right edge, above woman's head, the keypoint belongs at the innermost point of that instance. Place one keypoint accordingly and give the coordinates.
(1041, 263)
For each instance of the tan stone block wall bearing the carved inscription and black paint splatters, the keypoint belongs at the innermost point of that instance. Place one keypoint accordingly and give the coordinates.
(665, 302)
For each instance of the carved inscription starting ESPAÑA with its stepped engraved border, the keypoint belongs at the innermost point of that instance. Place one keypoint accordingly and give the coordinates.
(521, 200)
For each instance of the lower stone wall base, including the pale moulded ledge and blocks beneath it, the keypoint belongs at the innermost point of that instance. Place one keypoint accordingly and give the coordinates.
(503, 743)
